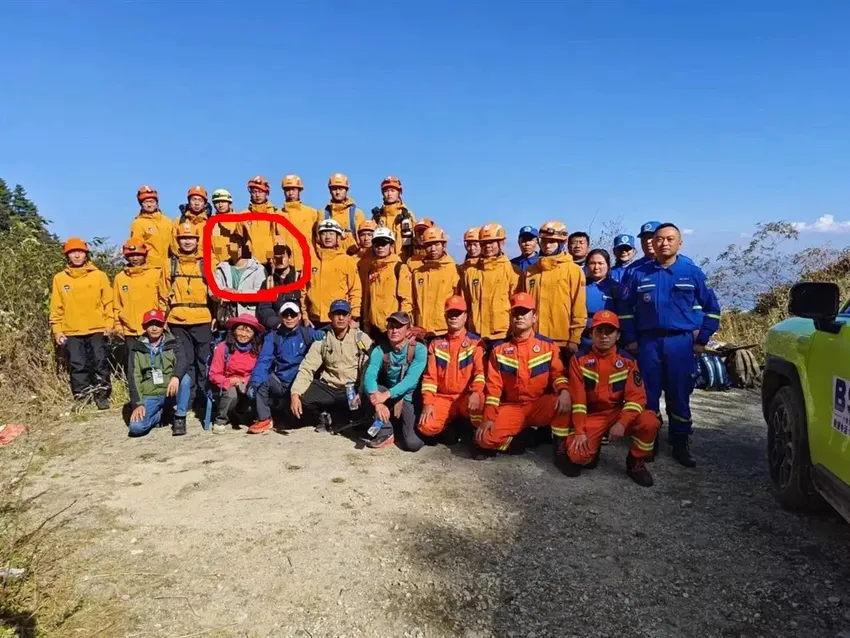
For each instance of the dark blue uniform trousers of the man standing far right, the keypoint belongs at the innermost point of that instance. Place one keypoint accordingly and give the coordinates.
(667, 365)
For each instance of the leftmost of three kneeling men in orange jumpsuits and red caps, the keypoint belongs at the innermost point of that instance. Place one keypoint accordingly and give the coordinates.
(453, 384)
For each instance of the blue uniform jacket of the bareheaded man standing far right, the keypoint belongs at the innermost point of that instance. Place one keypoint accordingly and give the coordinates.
(676, 298)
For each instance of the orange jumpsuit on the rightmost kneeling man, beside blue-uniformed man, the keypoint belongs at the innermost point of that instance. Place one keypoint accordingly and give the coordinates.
(606, 390)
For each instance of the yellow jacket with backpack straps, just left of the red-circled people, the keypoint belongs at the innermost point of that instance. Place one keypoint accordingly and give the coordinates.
(188, 295)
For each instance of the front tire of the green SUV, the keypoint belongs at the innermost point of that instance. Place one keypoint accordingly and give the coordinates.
(788, 452)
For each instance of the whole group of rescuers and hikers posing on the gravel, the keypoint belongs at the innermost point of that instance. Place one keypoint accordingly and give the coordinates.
(390, 334)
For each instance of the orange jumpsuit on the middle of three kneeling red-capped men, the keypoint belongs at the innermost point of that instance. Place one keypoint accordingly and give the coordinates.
(523, 378)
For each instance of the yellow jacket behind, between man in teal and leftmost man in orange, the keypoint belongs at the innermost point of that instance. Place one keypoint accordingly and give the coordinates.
(433, 283)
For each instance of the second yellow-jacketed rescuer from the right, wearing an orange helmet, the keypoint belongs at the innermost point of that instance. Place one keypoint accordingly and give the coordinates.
(489, 286)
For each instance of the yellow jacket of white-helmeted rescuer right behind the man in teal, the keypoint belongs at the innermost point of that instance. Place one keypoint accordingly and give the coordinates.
(388, 290)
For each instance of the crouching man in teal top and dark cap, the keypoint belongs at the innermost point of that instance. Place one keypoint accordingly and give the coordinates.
(390, 380)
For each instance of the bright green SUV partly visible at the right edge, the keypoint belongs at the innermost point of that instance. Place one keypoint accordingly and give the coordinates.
(806, 400)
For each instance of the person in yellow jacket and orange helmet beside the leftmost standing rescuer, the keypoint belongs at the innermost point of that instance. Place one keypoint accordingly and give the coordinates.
(136, 289)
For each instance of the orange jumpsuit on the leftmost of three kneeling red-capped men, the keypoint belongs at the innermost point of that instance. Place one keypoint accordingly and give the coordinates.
(455, 370)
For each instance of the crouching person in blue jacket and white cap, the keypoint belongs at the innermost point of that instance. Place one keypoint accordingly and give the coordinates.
(283, 351)
